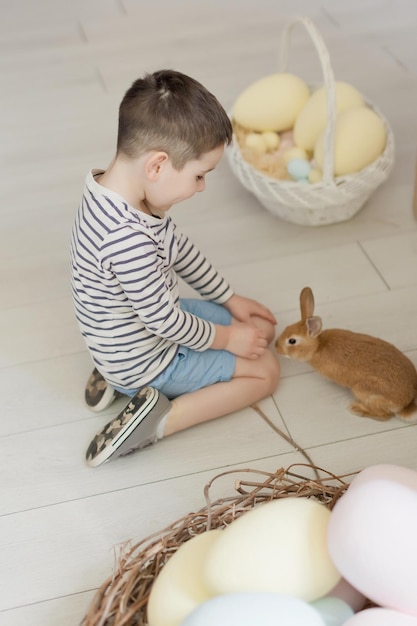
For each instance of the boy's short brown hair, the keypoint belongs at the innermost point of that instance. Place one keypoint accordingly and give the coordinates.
(172, 112)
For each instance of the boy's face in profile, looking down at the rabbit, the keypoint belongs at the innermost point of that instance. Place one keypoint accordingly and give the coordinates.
(174, 186)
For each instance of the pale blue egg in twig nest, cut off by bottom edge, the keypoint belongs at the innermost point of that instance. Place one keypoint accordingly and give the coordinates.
(248, 609)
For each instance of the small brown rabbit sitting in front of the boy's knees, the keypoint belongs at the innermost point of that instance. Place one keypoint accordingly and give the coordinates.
(383, 379)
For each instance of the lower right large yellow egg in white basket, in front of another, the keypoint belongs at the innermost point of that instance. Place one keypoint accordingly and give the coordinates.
(360, 138)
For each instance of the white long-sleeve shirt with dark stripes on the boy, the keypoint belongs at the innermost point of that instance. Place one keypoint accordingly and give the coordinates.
(125, 288)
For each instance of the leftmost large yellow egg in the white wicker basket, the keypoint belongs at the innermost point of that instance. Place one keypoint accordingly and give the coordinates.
(271, 103)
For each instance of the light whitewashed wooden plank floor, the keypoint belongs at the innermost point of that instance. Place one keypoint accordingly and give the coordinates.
(64, 67)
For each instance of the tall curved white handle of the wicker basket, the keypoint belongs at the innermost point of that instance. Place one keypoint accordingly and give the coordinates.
(329, 83)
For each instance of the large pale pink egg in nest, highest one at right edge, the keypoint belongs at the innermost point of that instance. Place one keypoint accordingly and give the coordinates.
(372, 538)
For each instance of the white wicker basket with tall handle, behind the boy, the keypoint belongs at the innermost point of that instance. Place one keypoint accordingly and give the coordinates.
(334, 199)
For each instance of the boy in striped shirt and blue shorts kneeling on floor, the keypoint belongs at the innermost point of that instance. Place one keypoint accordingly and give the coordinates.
(182, 362)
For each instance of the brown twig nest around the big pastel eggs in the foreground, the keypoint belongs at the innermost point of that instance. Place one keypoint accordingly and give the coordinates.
(122, 598)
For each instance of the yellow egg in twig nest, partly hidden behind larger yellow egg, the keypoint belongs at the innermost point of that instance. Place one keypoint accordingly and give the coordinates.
(179, 586)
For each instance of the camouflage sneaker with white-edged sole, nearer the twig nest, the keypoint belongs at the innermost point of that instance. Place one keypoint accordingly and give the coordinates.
(134, 428)
